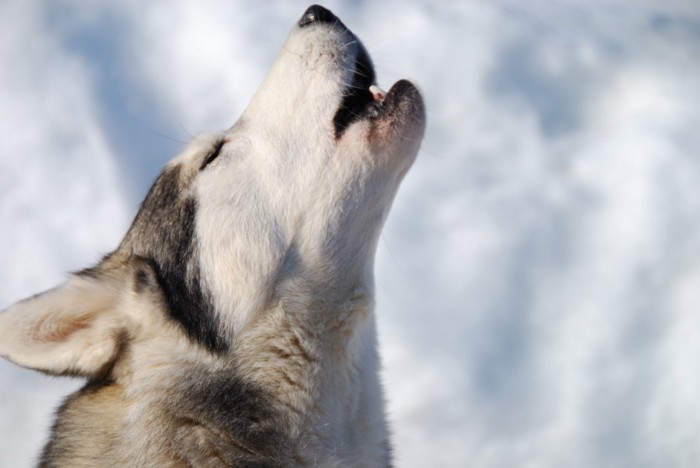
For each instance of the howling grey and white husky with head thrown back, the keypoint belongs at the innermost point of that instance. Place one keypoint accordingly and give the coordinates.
(234, 325)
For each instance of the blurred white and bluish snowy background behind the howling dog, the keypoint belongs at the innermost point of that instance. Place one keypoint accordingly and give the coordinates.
(539, 277)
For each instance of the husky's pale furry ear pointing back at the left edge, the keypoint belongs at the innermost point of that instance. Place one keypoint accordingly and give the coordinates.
(75, 329)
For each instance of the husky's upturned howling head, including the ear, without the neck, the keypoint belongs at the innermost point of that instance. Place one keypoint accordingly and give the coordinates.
(288, 201)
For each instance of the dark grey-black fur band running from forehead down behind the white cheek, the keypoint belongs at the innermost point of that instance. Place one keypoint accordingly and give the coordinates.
(163, 233)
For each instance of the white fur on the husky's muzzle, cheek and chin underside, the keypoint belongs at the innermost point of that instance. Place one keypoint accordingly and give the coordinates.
(285, 183)
